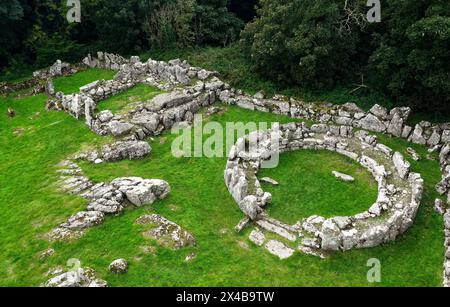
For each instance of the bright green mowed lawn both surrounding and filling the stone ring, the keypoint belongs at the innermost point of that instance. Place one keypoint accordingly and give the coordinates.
(199, 202)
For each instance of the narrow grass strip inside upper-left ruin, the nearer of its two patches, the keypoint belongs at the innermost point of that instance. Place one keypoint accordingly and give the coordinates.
(137, 93)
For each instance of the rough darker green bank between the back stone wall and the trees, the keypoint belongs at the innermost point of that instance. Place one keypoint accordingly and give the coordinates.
(232, 62)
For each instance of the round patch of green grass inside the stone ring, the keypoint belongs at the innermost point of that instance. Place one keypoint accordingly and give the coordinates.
(301, 194)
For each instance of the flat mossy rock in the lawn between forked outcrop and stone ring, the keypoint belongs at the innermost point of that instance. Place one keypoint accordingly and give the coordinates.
(166, 232)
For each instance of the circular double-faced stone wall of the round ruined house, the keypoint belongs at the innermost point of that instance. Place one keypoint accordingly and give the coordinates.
(399, 190)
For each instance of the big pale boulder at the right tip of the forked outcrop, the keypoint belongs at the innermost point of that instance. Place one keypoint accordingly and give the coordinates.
(141, 191)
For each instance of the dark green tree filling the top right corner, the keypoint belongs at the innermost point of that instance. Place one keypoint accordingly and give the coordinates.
(411, 60)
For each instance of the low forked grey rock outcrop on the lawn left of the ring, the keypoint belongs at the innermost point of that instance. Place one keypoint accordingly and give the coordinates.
(105, 198)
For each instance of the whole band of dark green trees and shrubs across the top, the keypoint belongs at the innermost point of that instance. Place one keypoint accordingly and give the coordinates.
(312, 44)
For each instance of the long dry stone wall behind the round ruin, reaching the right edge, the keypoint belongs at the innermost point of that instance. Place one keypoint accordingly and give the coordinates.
(377, 119)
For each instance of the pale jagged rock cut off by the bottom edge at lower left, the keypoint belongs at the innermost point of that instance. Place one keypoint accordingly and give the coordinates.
(78, 278)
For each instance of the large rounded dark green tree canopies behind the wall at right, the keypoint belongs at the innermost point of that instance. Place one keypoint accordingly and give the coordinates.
(321, 43)
